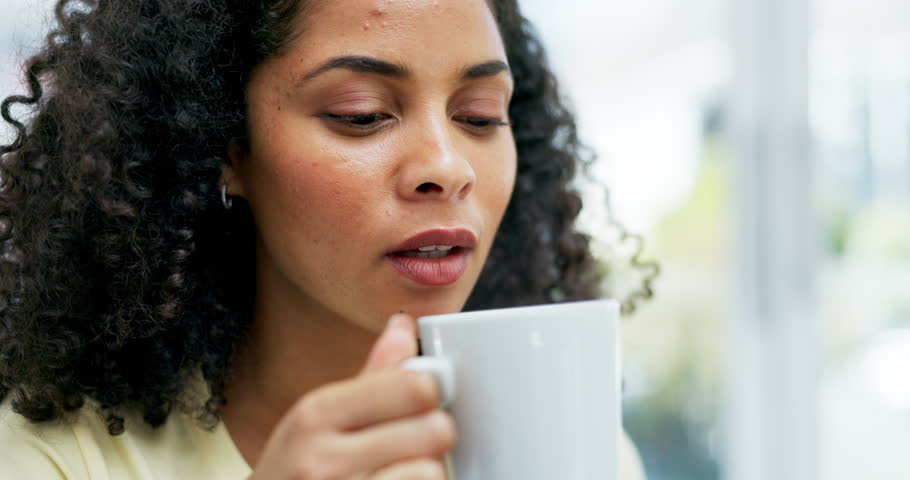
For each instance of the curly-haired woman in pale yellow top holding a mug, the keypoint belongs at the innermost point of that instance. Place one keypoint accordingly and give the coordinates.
(226, 214)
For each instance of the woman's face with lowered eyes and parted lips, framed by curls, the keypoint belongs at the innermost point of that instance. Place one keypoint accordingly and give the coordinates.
(382, 130)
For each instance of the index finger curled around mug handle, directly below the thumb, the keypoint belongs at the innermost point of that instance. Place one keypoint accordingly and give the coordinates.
(370, 399)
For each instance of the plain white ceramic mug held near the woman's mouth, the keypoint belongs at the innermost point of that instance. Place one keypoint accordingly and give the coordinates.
(534, 391)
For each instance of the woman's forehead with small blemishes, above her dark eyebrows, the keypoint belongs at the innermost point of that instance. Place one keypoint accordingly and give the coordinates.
(428, 32)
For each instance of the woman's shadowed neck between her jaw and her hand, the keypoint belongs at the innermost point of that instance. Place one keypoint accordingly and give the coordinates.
(294, 347)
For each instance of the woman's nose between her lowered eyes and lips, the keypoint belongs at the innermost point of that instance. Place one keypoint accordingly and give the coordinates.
(434, 168)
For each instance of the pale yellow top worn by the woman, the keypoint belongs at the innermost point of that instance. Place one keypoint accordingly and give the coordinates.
(181, 449)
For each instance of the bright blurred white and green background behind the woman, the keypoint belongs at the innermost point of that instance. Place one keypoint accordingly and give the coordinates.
(761, 149)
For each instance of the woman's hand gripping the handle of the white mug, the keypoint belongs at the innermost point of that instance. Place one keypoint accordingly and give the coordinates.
(382, 424)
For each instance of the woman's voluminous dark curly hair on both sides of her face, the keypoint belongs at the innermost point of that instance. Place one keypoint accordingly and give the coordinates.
(121, 274)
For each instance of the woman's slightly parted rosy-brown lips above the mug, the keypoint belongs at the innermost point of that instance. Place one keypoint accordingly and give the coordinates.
(439, 266)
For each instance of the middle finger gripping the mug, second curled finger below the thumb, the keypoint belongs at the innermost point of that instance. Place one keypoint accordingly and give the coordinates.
(430, 435)
